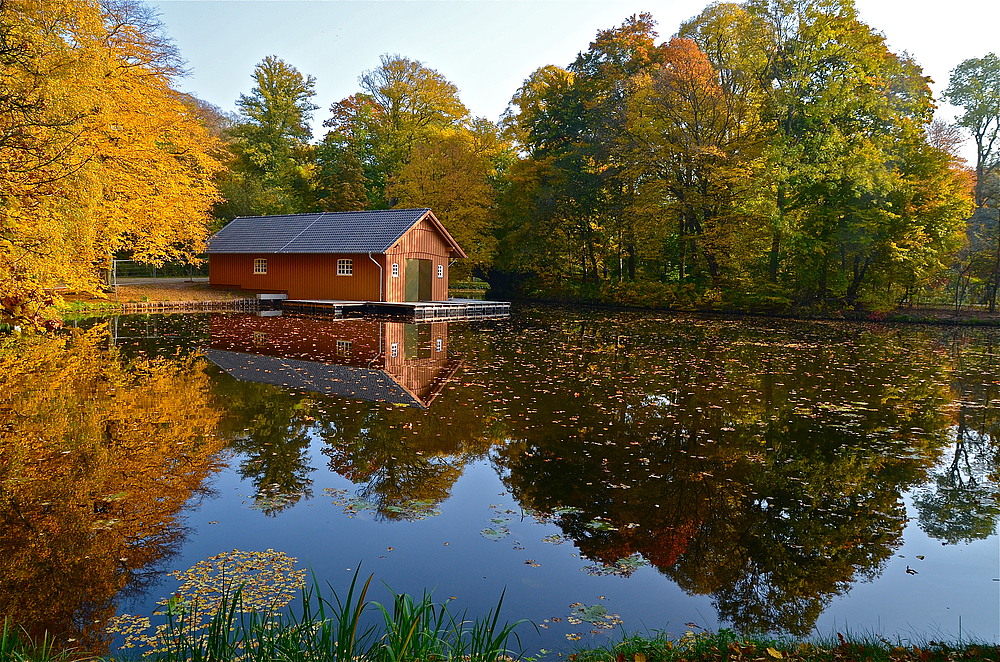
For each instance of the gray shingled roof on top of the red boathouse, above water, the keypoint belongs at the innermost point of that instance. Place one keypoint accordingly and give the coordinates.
(328, 232)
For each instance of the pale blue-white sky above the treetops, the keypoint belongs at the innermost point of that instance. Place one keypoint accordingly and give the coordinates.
(488, 47)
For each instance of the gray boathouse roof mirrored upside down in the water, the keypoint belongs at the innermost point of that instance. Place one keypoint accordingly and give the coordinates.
(345, 381)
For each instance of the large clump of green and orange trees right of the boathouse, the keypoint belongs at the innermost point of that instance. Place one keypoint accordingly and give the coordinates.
(774, 152)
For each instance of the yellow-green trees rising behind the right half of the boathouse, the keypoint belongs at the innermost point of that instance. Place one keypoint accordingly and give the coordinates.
(407, 140)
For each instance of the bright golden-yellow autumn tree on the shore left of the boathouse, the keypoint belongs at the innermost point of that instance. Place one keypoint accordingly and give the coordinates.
(98, 152)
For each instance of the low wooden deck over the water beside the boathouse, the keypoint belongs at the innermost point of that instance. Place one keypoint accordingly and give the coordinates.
(452, 309)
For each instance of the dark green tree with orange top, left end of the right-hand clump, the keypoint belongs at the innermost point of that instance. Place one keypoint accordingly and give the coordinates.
(571, 122)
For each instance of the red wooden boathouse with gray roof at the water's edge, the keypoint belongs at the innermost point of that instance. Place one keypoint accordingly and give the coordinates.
(393, 255)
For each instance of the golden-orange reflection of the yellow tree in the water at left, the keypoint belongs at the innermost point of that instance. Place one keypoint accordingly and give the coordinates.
(98, 456)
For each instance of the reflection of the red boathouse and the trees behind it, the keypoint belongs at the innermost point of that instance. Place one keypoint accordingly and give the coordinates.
(397, 453)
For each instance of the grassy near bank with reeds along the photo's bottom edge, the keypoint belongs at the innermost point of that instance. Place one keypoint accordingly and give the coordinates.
(419, 629)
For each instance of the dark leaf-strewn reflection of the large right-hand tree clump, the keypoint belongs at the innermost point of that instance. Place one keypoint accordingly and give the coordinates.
(765, 471)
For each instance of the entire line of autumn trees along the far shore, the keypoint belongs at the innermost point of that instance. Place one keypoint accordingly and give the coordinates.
(772, 155)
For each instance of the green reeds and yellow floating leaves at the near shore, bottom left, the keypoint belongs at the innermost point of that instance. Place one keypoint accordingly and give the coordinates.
(334, 630)
